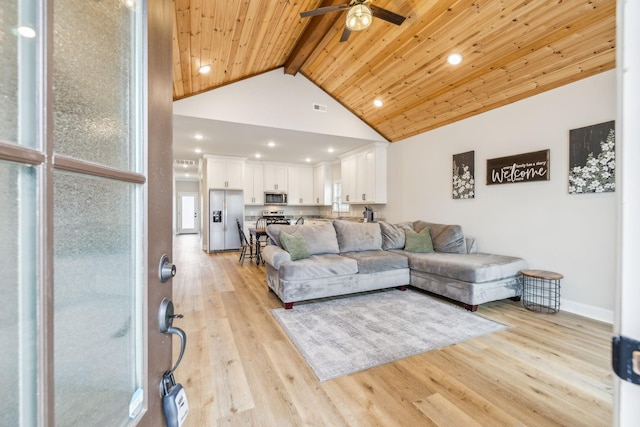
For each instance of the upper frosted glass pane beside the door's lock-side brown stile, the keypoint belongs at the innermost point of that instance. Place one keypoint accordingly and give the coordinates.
(94, 94)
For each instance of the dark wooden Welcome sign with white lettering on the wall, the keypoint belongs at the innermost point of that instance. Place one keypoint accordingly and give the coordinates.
(525, 167)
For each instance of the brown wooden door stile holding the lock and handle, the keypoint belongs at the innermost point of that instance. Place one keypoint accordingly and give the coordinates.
(160, 177)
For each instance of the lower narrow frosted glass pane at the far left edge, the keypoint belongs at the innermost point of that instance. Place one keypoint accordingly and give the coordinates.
(18, 287)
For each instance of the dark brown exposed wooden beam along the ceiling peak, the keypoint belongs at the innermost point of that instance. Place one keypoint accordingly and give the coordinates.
(312, 36)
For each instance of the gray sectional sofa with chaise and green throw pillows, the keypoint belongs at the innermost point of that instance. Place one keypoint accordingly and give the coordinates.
(343, 257)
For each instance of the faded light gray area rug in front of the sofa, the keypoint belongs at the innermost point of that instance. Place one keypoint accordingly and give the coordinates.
(341, 336)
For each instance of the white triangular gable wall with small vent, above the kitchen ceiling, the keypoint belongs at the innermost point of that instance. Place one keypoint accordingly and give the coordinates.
(277, 100)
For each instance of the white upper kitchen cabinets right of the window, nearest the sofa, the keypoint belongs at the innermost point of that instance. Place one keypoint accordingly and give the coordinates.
(364, 174)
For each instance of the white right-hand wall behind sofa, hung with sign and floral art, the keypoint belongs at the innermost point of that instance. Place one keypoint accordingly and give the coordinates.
(571, 234)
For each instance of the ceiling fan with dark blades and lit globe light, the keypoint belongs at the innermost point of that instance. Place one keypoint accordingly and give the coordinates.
(359, 16)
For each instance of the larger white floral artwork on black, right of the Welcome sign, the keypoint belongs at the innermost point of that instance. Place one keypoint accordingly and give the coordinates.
(592, 159)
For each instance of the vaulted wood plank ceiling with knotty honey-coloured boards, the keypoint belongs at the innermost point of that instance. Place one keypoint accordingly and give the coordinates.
(512, 49)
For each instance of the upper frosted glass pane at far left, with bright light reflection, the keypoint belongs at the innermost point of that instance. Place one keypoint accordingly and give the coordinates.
(17, 72)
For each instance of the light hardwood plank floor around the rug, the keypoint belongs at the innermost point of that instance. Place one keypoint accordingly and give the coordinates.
(240, 369)
